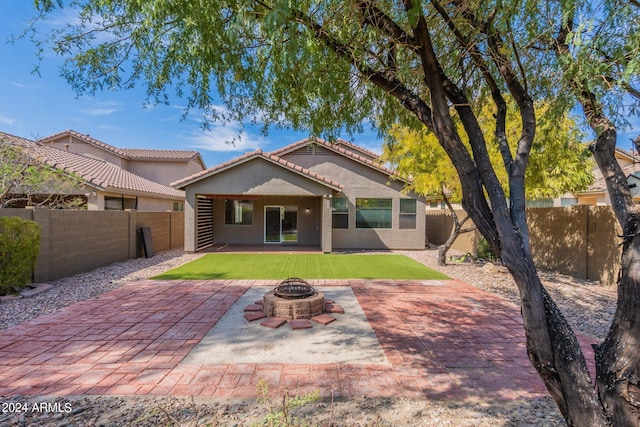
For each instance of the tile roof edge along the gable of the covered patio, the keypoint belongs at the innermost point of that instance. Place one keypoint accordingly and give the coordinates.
(270, 157)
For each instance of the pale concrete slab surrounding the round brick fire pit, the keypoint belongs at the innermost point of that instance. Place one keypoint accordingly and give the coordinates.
(350, 339)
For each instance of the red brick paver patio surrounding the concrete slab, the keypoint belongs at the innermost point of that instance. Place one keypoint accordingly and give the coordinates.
(442, 339)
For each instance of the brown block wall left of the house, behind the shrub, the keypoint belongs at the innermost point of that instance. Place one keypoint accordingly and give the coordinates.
(75, 241)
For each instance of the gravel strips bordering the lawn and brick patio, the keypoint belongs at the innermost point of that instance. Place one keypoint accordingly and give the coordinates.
(588, 306)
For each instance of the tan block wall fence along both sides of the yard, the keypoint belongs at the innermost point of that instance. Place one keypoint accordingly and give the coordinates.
(579, 241)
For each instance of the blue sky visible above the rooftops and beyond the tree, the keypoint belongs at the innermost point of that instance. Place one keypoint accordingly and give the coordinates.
(34, 106)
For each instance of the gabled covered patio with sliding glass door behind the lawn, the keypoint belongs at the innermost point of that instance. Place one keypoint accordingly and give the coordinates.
(258, 200)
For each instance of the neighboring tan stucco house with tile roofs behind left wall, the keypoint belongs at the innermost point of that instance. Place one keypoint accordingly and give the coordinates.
(113, 178)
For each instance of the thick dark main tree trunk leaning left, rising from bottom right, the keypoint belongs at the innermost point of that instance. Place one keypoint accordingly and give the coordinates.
(551, 344)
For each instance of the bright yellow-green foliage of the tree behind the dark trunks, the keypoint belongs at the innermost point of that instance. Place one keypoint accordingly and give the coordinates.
(560, 162)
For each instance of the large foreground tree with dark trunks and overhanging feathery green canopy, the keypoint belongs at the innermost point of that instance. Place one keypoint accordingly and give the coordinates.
(329, 65)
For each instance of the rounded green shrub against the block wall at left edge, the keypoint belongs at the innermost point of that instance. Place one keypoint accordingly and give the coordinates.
(19, 249)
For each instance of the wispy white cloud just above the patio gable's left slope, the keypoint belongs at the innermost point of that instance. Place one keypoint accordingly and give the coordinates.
(225, 138)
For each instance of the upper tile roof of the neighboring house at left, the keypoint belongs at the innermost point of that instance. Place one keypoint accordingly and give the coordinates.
(130, 153)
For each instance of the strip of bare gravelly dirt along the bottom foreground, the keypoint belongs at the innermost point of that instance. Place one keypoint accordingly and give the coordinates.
(172, 411)
